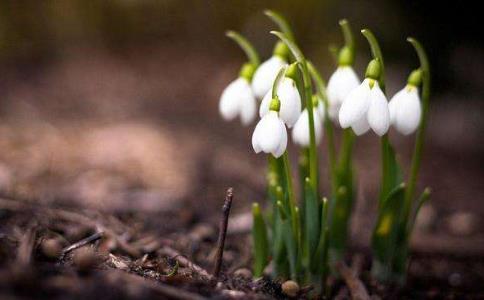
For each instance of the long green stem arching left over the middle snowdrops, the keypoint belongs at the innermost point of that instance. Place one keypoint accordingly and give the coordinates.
(307, 95)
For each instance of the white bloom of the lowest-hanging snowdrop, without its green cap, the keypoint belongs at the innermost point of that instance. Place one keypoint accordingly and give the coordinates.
(270, 135)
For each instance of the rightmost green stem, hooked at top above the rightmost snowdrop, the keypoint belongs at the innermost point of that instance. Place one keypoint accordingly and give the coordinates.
(419, 140)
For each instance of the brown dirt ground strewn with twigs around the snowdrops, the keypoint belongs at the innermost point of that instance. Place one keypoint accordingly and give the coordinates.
(129, 152)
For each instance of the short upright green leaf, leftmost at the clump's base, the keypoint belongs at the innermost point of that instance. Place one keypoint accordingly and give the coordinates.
(260, 242)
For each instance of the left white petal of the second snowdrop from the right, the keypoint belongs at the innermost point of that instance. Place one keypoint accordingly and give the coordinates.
(355, 105)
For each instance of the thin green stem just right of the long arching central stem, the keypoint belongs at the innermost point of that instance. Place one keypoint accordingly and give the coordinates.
(328, 125)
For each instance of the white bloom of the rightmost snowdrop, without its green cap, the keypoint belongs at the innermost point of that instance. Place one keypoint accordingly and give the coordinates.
(405, 110)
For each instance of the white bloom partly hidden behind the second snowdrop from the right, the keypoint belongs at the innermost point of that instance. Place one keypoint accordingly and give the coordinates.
(343, 81)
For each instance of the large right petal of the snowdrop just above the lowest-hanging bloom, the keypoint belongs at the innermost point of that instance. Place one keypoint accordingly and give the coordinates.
(290, 101)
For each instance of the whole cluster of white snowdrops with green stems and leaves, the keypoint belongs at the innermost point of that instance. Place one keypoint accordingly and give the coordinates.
(303, 240)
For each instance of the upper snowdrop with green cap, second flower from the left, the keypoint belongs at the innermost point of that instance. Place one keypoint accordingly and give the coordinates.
(266, 73)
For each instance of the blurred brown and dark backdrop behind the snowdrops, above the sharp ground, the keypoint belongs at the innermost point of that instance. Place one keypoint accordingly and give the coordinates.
(113, 104)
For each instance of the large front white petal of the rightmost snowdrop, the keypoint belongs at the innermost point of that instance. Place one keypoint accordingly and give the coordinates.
(408, 114)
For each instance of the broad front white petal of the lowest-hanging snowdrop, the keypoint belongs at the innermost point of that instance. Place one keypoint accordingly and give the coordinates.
(269, 135)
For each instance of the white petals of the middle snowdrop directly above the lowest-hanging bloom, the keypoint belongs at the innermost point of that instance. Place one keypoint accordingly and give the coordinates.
(290, 102)
